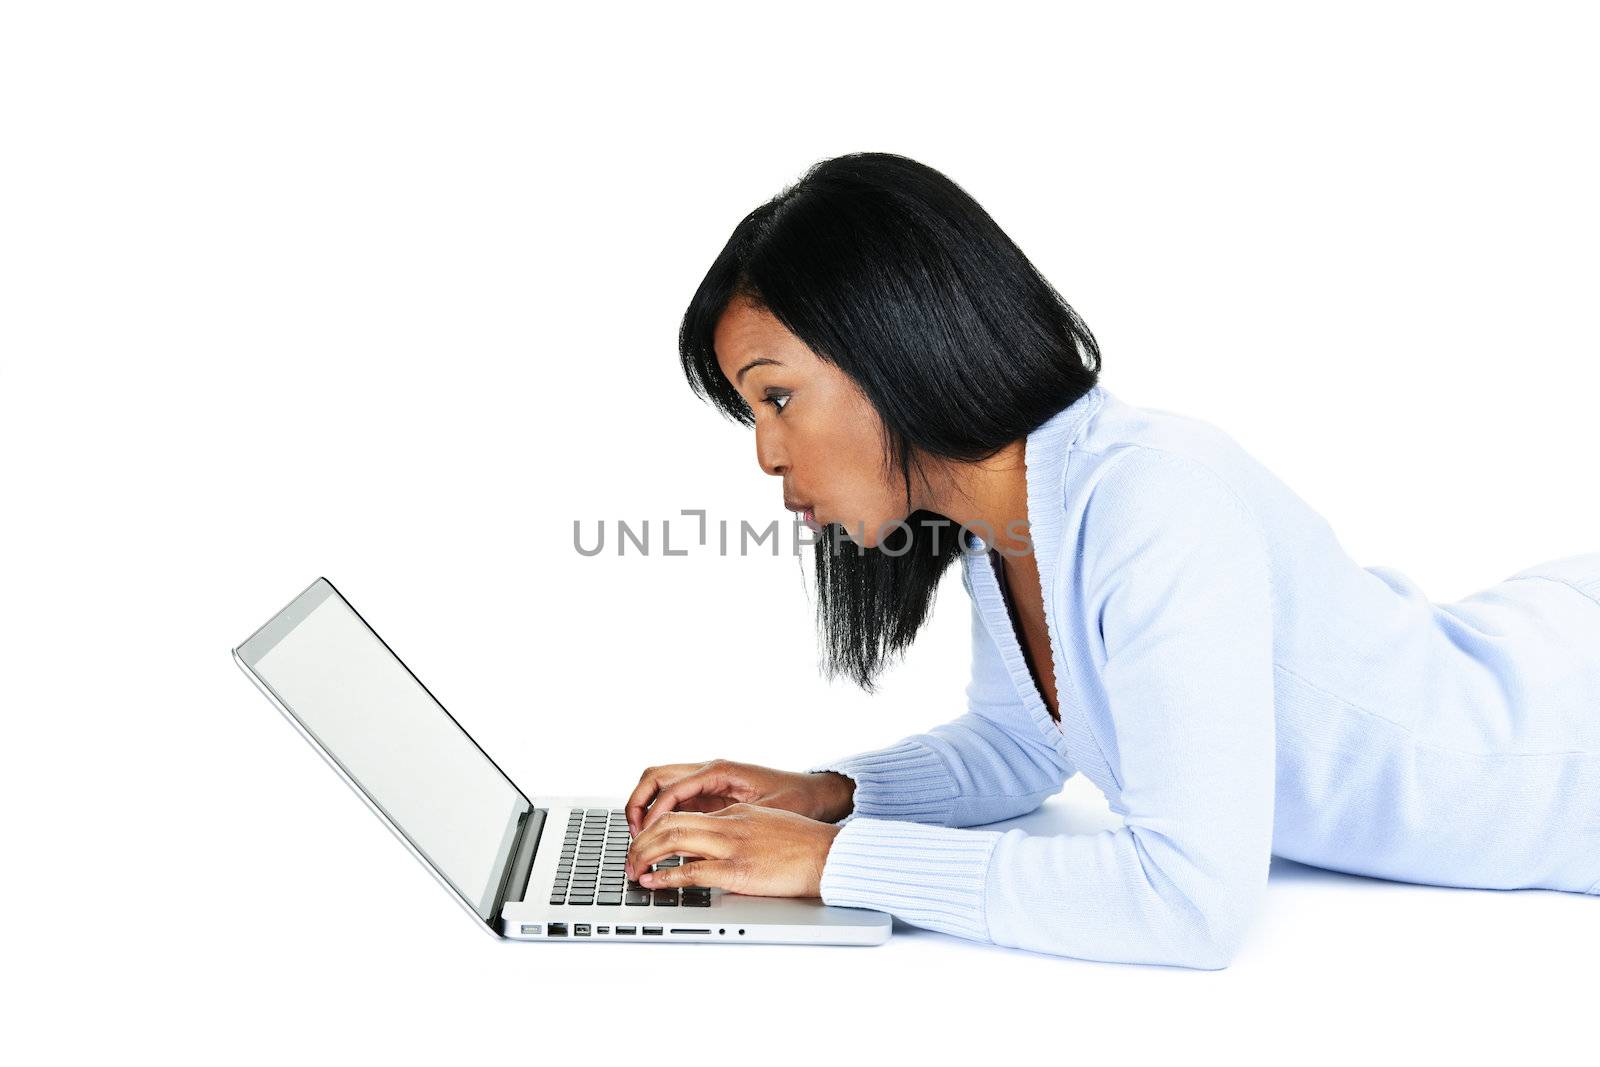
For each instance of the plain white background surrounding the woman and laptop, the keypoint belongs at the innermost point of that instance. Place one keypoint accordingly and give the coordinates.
(390, 294)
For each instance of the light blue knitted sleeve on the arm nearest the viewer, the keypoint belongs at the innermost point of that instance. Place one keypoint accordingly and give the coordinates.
(1177, 577)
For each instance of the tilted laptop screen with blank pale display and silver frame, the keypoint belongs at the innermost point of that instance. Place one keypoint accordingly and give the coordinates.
(393, 738)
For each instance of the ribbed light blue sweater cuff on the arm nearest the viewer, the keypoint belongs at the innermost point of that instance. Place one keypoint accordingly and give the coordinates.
(927, 876)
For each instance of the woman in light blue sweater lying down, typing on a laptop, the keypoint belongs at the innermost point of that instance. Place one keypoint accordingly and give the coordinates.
(1151, 607)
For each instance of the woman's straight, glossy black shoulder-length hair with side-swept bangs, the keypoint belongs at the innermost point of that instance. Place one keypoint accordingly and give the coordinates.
(890, 271)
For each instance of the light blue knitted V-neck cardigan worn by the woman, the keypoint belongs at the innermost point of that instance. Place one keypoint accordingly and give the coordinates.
(1238, 687)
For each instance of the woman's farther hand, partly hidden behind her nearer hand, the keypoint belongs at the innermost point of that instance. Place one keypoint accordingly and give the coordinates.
(721, 783)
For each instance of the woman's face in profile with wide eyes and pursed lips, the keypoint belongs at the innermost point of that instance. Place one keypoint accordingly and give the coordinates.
(814, 426)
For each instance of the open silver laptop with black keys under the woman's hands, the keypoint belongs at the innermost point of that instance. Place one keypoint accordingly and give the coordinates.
(537, 869)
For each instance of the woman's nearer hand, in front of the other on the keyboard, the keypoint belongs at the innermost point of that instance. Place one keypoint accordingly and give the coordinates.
(742, 849)
